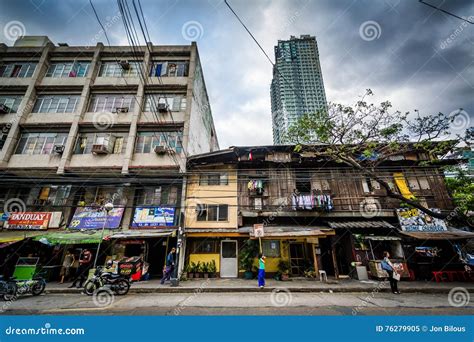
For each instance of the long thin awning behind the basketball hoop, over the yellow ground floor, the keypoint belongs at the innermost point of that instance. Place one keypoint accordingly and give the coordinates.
(292, 231)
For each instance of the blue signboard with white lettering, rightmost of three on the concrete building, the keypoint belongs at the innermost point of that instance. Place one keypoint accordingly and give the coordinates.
(153, 217)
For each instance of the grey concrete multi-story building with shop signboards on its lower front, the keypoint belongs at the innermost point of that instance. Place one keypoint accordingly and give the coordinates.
(86, 125)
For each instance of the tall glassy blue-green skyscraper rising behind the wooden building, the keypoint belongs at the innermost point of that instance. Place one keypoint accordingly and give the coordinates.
(297, 87)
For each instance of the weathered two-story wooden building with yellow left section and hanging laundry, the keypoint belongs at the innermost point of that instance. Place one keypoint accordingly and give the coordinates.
(316, 215)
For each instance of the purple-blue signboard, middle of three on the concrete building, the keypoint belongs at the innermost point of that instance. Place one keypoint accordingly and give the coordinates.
(91, 218)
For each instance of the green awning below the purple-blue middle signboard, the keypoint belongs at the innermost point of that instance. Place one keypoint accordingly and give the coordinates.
(74, 237)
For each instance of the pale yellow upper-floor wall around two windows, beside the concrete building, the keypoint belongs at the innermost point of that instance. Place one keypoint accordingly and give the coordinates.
(211, 194)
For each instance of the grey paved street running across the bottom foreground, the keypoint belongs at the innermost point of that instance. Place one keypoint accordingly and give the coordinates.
(268, 303)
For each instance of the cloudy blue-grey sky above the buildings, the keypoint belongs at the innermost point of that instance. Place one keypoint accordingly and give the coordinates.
(406, 52)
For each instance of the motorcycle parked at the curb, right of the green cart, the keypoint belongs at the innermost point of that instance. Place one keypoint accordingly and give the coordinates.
(119, 284)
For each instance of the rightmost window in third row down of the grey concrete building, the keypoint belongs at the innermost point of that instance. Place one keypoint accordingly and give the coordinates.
(146, 141)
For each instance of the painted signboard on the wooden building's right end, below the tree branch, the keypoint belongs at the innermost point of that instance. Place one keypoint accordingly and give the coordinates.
(414, 220)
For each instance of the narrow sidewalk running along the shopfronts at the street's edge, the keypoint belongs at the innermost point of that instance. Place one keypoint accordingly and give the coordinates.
(294, 285)
